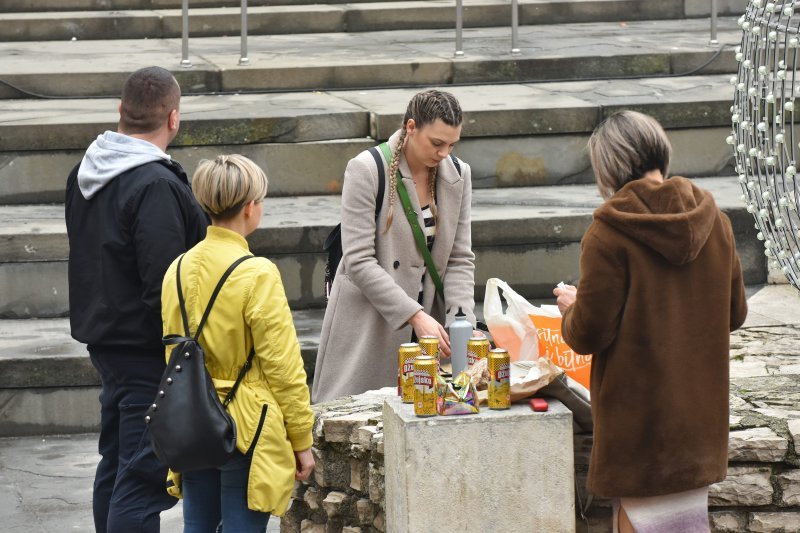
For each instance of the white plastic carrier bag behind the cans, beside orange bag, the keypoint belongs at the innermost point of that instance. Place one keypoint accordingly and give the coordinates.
(512, 329)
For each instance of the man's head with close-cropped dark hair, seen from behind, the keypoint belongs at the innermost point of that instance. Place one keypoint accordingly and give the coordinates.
(148, 97)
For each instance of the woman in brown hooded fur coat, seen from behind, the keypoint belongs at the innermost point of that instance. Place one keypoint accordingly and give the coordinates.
(660, 291)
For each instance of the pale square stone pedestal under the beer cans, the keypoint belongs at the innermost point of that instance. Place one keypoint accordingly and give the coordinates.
(509, 471)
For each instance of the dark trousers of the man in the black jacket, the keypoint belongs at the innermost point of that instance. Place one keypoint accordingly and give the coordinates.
(130, 483)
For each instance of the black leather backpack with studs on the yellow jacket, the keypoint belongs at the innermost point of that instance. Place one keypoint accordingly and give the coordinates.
(189, 427)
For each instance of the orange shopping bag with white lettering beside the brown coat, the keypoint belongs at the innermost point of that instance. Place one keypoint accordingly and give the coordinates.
(547, 321)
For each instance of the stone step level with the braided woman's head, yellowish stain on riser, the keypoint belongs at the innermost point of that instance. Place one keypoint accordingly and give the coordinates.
(514, 135)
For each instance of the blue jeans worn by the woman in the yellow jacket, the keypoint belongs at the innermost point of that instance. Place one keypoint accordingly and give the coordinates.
(215, 500)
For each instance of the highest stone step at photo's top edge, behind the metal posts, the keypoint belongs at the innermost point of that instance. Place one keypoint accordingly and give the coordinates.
(319, 18)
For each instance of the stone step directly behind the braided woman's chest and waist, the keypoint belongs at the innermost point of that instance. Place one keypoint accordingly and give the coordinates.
(528, 236)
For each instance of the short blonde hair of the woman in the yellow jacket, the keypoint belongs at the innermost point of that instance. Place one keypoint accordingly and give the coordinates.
(228, 183)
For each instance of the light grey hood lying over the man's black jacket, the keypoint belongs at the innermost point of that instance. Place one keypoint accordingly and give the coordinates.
(110, 155)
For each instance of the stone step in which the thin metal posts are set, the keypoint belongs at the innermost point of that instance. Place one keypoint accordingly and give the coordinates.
(369, 59)
